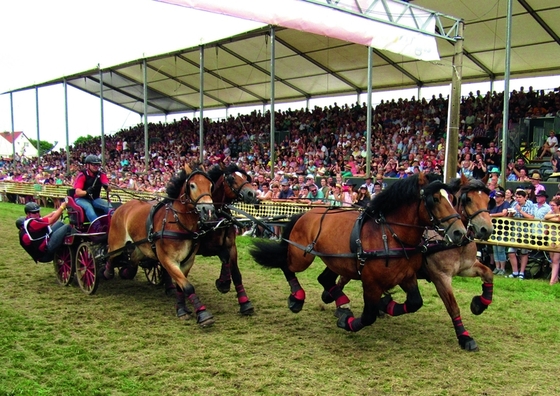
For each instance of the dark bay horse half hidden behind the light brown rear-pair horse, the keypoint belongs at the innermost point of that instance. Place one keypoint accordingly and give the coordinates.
(231, 184)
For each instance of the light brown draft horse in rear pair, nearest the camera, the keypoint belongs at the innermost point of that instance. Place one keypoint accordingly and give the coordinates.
(165, 232)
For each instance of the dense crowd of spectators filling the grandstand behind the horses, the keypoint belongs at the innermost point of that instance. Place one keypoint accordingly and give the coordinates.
(320, 148)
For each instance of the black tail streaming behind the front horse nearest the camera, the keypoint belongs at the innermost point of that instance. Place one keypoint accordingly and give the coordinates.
(273, 254)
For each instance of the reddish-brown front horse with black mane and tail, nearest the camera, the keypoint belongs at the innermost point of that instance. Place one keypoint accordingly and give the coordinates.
(380, 246)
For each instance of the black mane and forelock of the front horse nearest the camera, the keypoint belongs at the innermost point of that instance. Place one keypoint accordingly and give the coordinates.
(402, 192)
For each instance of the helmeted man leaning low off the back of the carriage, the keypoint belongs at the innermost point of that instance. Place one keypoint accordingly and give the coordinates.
(41, 236)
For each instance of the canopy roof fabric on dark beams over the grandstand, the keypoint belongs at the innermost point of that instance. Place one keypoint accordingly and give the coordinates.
(307, 65)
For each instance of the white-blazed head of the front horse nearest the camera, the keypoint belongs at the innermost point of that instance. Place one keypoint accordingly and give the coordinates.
(439, 210)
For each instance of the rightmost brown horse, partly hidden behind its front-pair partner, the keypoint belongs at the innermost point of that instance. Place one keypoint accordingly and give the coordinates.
(472, 204)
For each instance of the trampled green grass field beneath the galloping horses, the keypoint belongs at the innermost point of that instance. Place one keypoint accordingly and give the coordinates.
(126, 340)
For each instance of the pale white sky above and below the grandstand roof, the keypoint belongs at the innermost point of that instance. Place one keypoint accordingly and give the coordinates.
(106, 32)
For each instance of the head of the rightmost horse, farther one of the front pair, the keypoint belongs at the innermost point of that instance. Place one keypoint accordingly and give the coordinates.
(473, 202)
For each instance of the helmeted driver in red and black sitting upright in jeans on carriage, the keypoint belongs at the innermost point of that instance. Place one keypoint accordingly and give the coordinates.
(88, 185)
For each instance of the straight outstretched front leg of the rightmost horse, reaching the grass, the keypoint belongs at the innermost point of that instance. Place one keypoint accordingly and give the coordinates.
(442, 282)
